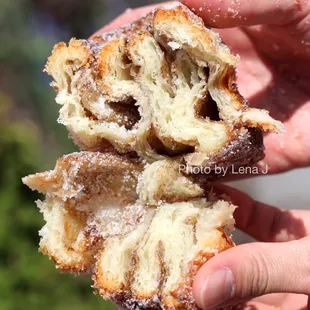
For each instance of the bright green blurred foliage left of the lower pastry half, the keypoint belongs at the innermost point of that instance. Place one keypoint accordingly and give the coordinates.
(27, 278)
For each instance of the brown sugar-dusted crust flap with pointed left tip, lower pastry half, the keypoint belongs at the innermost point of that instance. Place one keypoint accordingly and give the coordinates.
(85, 176)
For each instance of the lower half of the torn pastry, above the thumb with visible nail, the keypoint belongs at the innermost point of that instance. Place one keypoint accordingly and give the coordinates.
(97, 223)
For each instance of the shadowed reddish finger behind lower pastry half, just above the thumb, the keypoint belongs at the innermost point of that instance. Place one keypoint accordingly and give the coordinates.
(264, 222)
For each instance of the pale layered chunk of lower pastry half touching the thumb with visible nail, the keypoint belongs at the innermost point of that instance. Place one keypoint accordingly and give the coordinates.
(153, 266)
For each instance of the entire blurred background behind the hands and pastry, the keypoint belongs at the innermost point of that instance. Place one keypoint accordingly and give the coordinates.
(31, 141)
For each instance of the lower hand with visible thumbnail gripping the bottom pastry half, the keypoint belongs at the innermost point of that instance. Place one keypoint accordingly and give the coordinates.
(257, 269)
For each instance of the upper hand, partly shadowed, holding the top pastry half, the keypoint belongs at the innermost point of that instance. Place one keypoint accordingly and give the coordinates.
(274, 69)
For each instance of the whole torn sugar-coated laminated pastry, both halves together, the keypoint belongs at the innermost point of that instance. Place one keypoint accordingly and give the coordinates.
(141, 102)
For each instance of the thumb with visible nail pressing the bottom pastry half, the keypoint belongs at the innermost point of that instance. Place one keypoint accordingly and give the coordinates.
(252, 270)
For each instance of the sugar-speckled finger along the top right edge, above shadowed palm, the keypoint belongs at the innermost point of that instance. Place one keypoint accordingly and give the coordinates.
(233, 13)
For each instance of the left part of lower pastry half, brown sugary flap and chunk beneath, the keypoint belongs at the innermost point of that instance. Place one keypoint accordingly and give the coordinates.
(89, 196)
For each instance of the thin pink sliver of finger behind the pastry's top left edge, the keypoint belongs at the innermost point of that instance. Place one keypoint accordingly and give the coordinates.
(128, 17)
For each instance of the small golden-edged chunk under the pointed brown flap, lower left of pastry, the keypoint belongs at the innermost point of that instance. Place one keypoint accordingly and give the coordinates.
(61, 244)
